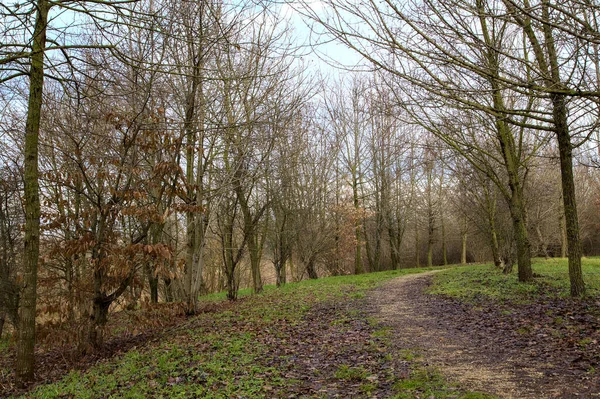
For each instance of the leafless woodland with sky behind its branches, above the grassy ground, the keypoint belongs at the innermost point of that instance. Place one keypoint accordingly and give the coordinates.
(157, 152)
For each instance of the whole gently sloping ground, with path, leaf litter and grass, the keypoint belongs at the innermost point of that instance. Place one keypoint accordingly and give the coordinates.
(401, 334)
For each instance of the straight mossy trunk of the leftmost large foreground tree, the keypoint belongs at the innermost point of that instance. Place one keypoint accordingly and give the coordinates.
(25, 360)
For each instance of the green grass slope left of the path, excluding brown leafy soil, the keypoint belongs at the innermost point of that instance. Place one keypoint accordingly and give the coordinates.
(219, 356)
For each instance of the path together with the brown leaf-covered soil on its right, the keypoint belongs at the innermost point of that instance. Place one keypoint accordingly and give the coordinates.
(509, 350)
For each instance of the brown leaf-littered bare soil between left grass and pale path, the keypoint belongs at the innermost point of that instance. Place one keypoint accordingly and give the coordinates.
(332, 353)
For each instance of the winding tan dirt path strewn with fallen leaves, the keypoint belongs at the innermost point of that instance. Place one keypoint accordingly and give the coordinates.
(402, 305)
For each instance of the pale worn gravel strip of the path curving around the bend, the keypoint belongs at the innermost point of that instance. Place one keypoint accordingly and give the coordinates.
(402, 305)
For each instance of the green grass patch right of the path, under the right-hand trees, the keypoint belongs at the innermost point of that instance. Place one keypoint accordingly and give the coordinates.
(471, 283)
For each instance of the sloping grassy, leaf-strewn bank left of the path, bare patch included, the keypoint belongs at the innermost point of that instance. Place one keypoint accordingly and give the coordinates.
(311, 339)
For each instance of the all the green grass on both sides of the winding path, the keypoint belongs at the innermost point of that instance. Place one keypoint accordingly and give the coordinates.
(219, 355)
